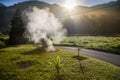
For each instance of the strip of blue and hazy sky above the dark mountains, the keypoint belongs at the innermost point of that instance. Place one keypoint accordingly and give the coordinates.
(61, 2)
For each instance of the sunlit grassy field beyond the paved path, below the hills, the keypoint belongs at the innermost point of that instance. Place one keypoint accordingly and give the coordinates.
(108, 44)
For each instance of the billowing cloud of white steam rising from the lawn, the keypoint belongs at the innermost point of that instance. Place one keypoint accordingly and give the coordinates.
(42, 24)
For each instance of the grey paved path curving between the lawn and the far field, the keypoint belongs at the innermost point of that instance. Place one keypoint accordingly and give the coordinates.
(108, 57)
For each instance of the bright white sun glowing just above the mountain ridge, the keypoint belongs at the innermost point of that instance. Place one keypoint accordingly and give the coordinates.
(70, 4)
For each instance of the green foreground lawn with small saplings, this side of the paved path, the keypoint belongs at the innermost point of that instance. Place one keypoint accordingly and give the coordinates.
(29, 62)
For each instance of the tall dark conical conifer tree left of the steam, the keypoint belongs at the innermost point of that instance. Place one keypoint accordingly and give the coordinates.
(17, 30)
